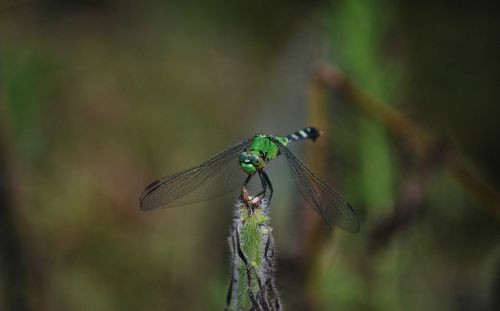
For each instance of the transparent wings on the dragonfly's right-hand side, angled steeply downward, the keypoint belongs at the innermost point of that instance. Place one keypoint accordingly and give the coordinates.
(334, 209)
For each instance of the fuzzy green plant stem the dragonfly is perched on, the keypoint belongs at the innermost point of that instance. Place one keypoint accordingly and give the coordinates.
(252, 284)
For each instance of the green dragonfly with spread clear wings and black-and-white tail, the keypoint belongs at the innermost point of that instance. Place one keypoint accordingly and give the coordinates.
(238, 164)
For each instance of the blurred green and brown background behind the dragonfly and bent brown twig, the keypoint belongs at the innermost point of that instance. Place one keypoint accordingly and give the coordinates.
(100, 97)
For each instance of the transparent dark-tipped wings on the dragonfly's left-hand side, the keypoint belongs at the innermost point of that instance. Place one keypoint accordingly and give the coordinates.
(213, 178)
